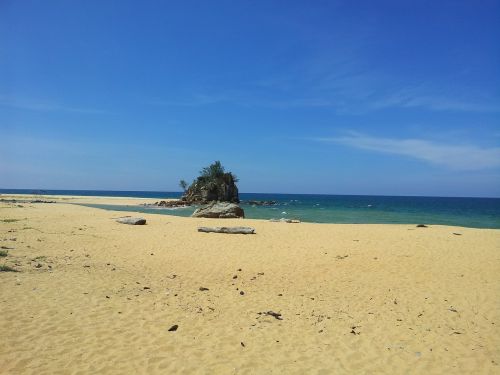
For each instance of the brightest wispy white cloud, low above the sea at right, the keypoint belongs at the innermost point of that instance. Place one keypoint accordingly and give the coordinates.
(458, 157)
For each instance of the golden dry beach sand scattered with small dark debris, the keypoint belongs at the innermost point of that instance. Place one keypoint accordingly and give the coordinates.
(97, 297)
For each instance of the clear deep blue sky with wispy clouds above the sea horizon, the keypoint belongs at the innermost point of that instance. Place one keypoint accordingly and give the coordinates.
(347, 97)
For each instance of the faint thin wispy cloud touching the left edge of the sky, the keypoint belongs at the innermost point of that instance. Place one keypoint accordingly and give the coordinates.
(44, 105)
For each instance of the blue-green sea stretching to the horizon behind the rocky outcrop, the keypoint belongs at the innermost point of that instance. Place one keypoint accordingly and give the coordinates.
(362, 209)
